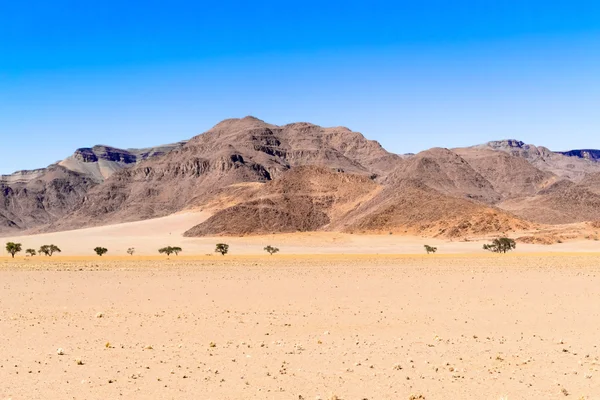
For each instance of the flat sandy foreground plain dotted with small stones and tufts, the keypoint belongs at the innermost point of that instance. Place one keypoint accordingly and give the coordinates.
(359, 327)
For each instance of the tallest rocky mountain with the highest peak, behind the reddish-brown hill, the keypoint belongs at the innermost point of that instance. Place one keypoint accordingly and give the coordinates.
(234, 151)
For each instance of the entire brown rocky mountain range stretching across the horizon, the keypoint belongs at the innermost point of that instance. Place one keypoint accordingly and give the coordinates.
(258, 178)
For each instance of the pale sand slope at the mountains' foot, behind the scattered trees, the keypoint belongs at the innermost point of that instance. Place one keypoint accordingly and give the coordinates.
(150, 235)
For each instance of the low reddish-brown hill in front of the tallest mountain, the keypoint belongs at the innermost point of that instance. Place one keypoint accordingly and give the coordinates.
(307, 198)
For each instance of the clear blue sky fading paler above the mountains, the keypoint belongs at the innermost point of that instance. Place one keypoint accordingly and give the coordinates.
(410, 74)
